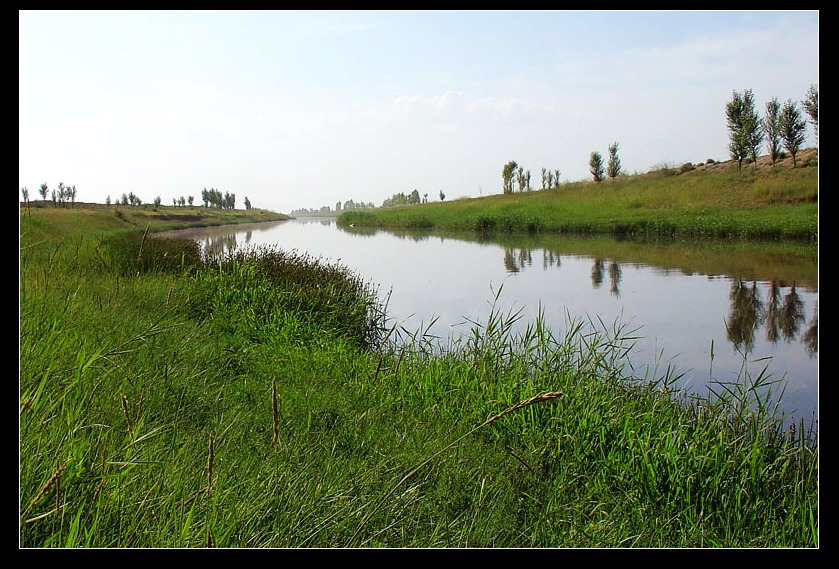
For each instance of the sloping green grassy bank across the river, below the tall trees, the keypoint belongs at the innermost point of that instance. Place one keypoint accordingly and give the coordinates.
(719, 201)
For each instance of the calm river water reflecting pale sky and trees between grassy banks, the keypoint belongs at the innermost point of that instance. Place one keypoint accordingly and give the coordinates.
(707, 302)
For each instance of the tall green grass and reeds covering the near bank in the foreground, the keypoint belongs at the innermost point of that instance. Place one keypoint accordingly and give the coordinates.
(262, 400)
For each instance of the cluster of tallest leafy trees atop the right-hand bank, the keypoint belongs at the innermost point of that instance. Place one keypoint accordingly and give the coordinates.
(781, 126)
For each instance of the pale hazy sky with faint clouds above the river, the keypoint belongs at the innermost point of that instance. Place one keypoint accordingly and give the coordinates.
(303, 109)
